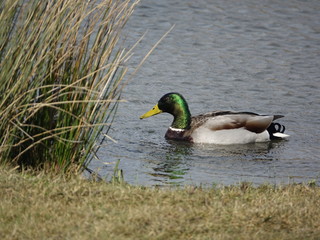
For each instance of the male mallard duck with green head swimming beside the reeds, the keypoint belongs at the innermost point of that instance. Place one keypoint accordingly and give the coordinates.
(219, 127)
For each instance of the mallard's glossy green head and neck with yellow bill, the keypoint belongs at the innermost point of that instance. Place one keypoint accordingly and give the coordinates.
(175, 104)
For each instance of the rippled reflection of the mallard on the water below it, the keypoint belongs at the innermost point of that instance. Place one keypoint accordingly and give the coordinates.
(174, 165)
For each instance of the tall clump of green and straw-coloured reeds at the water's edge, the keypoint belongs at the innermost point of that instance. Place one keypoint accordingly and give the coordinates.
(61, 67)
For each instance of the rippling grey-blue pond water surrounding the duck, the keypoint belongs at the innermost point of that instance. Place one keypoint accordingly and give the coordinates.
(259, 56)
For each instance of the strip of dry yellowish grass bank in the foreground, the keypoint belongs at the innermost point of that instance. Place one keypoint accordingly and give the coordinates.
(42, 207)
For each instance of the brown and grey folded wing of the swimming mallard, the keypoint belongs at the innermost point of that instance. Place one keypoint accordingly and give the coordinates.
(223, 120)
